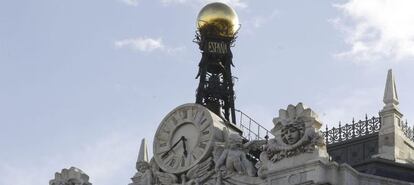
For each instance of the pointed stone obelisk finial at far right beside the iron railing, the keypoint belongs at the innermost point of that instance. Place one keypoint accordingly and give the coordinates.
(390, 93)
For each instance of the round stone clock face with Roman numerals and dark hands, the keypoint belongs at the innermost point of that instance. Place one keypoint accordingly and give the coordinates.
(183, 138)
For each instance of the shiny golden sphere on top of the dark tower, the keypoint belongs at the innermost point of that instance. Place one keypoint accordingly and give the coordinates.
(219, 17)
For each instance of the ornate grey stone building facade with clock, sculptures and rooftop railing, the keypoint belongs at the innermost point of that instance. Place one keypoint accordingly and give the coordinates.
(378, 150)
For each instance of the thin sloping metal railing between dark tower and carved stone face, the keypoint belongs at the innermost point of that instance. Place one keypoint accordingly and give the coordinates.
(252, 130)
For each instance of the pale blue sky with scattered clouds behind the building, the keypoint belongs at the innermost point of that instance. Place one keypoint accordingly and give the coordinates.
(82, 82)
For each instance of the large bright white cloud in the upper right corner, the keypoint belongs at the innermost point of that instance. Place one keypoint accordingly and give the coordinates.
(377, 29)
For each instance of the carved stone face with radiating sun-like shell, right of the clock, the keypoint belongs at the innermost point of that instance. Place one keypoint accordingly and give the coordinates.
(296, 131)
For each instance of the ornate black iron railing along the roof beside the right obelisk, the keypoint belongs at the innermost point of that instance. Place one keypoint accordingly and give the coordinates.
(353, 130)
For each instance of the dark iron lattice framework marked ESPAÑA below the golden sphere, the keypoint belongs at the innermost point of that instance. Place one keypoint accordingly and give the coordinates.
(215, 90)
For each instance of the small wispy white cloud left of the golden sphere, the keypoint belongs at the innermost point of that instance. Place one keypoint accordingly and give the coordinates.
(140, 44)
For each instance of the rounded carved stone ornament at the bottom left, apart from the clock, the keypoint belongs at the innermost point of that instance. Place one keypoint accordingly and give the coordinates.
(71, 176)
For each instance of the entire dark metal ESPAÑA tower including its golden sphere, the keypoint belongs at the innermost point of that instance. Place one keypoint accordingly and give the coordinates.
(215, 36)
